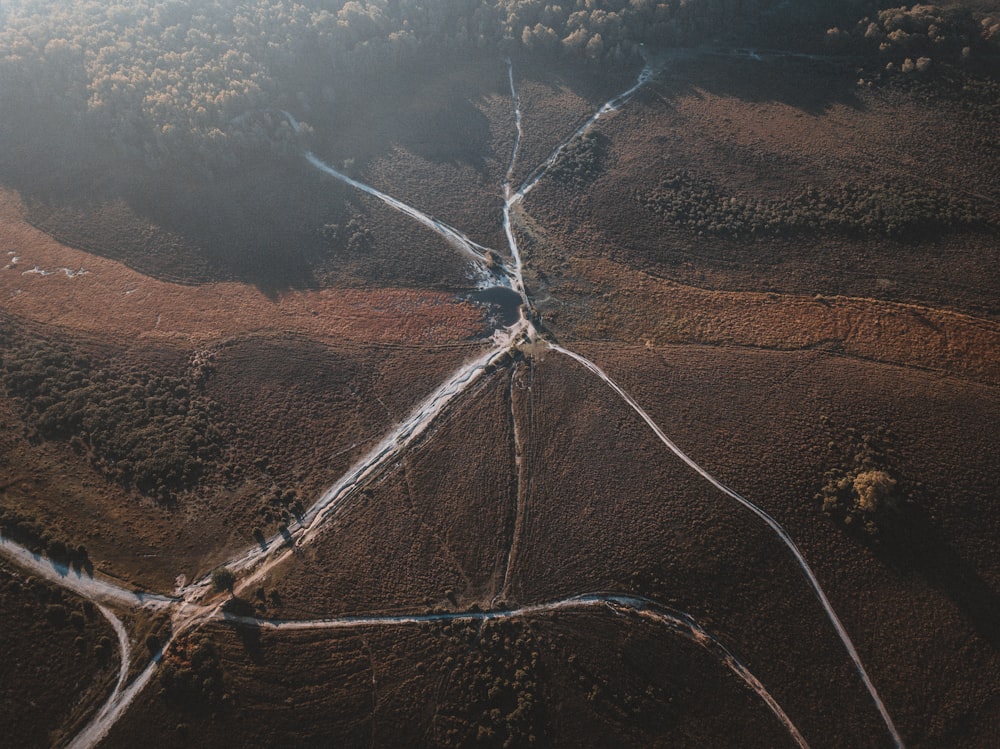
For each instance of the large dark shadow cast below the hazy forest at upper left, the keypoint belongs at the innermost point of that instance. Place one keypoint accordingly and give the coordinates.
(258, 222)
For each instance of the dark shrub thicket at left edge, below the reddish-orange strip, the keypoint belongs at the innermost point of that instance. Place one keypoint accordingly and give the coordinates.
(154, 433)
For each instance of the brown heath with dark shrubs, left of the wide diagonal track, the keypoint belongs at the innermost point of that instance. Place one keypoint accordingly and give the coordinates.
(283, 418)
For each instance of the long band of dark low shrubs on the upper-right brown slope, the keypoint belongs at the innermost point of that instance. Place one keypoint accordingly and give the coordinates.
(858, 210)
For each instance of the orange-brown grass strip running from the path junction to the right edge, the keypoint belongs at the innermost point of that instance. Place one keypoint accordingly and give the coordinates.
(611, 302)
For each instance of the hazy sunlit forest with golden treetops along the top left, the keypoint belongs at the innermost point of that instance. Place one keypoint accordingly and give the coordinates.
(158, 79)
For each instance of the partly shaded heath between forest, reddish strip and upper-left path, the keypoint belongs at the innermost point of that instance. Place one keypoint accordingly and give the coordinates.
(268, 224)
